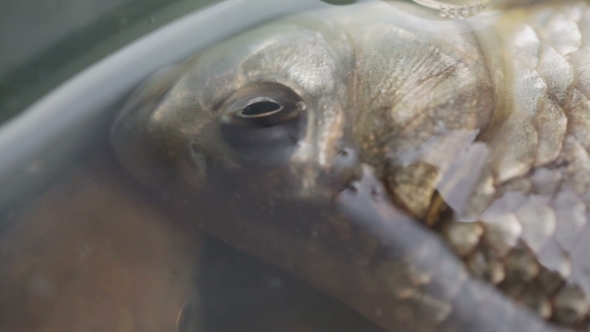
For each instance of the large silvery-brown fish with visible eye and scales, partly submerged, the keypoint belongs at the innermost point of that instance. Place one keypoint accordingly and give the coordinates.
(319, 129)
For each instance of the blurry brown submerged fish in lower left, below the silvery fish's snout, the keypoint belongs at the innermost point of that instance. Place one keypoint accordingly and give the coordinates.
(87, 256)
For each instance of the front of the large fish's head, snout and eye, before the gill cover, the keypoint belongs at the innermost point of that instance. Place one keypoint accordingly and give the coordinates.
(269, 103)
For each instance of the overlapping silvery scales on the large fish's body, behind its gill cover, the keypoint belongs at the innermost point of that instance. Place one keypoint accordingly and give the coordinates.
(548, 225)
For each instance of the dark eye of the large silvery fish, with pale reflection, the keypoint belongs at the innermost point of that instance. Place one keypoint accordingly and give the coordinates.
(263, 122)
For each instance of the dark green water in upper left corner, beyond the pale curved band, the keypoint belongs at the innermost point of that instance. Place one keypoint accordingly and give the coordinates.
(22, 84)
